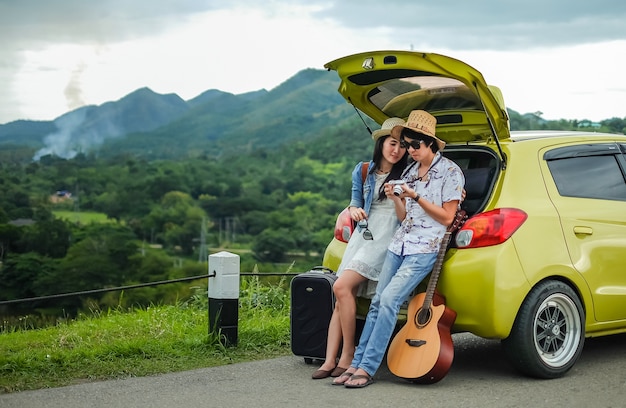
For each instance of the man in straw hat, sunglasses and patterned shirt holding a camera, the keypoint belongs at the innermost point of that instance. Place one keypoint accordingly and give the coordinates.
(427, 204)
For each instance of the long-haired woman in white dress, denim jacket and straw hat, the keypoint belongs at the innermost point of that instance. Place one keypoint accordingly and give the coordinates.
(365, 252)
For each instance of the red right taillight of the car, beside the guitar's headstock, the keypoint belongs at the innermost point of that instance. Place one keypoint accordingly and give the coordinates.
(490, 228)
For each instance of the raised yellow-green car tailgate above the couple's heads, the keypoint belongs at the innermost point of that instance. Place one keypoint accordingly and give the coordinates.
(389, 83)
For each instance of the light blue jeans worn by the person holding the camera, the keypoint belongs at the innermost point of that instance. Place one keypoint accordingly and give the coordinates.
(399, 276)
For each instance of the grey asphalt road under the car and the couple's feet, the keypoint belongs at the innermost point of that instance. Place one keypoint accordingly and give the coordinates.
(479, 377)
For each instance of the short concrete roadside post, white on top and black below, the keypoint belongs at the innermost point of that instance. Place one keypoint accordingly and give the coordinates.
(224, 296)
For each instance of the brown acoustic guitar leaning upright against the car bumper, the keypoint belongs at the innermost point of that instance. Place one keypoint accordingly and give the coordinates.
(422, 351)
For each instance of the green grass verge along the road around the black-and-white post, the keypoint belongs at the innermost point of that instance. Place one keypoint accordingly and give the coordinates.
(128, 343)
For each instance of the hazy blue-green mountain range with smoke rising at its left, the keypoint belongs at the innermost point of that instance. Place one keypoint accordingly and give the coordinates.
(156, 126)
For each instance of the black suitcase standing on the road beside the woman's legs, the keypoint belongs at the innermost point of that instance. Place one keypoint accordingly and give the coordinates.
(312, 304)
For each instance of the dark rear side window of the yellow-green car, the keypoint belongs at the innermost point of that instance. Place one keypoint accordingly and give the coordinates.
(597, 175)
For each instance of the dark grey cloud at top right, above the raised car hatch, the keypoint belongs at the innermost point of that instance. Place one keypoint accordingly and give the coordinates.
(487, 24)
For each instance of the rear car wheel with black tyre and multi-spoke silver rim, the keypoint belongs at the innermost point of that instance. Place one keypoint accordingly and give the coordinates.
(548, 335)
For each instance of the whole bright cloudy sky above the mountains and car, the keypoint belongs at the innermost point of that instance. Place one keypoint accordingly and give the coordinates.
(563, 58)
